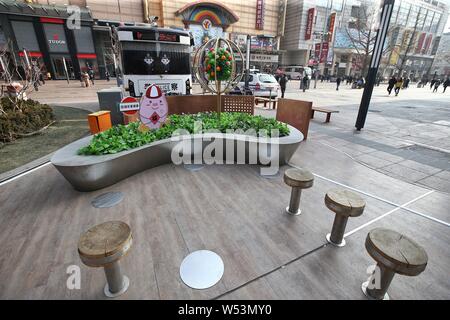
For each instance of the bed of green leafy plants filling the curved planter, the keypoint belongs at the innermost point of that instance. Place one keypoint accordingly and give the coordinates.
(126, 137)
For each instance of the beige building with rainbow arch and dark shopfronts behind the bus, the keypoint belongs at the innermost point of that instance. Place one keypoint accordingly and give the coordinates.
(41, 27)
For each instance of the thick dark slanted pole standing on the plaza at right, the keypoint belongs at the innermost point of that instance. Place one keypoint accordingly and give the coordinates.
(377, 52)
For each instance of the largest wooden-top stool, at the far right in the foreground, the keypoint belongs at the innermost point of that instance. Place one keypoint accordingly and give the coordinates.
(394, 253)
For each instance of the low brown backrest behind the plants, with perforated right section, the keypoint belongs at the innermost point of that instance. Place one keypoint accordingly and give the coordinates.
(207, 103)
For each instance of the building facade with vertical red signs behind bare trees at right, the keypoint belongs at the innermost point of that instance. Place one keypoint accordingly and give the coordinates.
(322, 34)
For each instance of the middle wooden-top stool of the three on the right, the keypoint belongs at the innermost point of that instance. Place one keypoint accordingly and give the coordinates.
(345, 204)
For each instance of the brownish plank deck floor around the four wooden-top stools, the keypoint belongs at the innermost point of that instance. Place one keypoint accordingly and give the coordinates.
(228, 209)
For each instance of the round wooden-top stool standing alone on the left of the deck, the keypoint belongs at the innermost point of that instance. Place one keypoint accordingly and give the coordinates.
(103, 246)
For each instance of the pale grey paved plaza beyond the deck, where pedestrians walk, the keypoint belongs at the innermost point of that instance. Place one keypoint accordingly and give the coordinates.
(406, 137)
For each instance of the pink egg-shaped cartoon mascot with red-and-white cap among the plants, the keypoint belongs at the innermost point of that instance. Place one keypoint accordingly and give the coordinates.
(153, 107)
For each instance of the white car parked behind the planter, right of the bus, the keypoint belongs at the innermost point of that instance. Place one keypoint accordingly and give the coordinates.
(260, 84)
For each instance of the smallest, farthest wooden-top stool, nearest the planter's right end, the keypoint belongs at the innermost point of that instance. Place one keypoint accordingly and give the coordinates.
(298, 179)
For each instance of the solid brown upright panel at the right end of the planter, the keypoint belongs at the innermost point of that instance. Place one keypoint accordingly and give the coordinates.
(297, 113)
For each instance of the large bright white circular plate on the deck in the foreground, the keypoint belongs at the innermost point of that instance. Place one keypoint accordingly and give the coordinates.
(201, 269)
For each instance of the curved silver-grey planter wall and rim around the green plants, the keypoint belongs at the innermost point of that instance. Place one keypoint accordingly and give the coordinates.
(88, 173)
